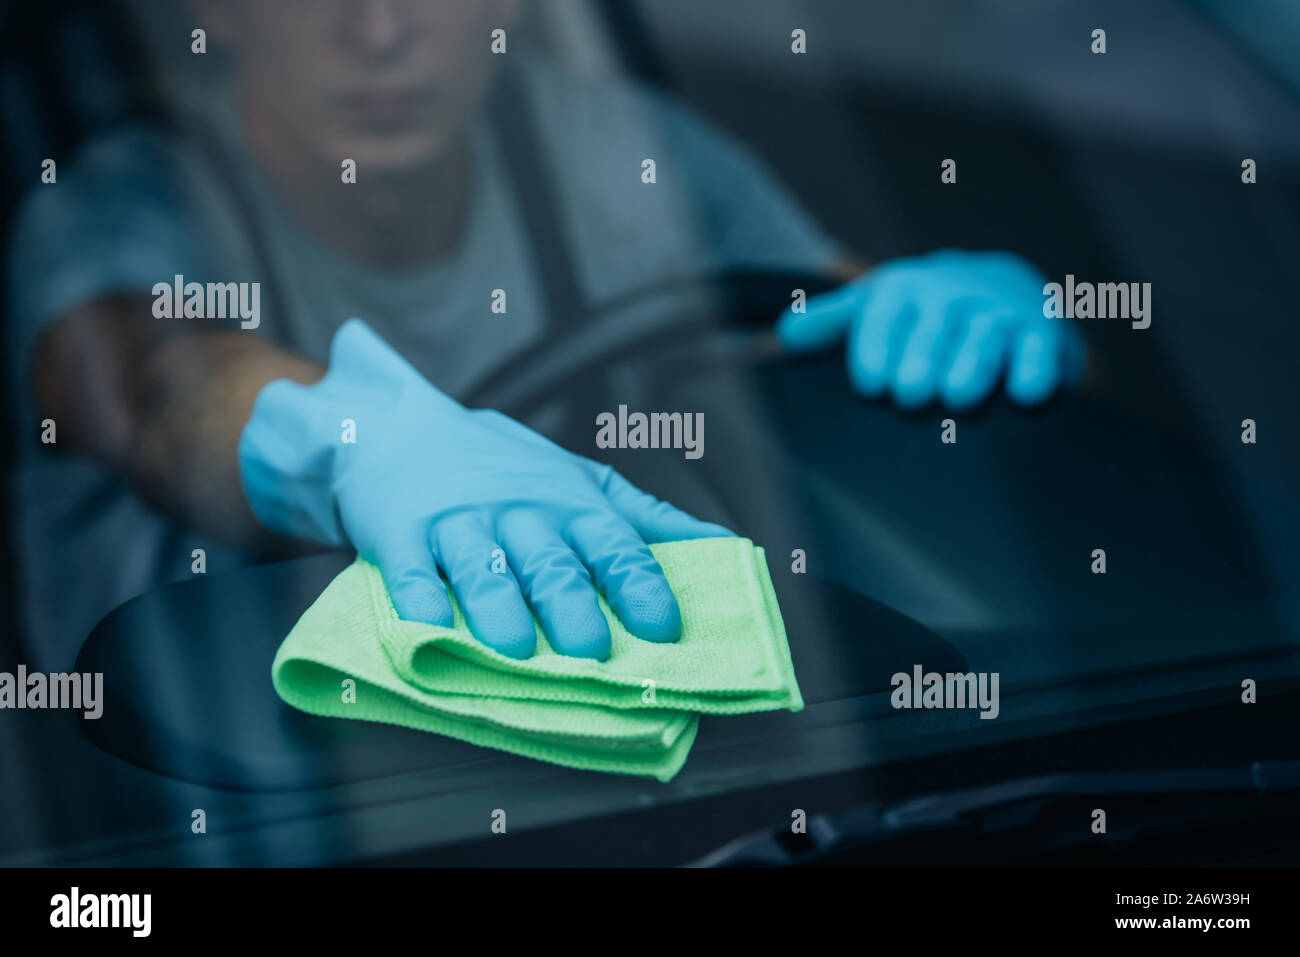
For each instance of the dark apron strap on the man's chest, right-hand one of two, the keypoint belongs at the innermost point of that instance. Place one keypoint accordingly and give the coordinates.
(536, 187)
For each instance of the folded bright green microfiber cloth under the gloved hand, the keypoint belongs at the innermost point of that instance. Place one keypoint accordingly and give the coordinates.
(635, 713)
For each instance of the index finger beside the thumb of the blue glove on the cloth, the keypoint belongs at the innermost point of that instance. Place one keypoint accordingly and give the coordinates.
(627, 575)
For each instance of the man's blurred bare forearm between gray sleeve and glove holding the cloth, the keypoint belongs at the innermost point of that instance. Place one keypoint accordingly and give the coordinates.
(163, 408)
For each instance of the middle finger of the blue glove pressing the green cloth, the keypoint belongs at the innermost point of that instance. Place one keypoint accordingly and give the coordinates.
(556, 584)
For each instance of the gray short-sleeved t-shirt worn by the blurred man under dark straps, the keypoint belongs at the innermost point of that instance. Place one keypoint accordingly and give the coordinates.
(137, 209)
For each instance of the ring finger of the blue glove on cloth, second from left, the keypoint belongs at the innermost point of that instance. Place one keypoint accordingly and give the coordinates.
(486, 586)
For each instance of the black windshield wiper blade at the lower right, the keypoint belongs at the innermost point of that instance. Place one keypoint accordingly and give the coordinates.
(879, 822)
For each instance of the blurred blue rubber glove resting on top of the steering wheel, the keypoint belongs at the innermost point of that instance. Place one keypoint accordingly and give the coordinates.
(944, 326)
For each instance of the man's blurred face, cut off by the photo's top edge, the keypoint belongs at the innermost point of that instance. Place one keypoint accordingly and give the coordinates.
(391, 84)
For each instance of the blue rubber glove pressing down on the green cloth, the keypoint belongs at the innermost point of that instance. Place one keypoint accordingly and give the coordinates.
(430, 484)
